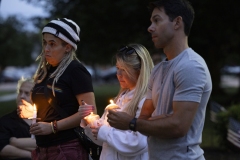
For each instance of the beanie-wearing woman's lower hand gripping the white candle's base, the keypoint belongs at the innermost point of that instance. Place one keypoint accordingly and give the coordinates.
(41, 128)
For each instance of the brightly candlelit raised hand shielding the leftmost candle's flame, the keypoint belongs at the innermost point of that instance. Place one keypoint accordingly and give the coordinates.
(25, 110)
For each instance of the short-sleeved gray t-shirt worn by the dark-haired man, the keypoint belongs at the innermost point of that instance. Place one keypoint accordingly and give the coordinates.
(184, 78)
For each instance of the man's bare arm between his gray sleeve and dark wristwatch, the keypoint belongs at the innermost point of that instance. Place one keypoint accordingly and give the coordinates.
(174, 126)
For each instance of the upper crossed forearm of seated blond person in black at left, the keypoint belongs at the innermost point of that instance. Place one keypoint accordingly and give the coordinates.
(23, 143)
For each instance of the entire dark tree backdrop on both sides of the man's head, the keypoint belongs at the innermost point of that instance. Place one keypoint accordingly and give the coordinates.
(105, 25)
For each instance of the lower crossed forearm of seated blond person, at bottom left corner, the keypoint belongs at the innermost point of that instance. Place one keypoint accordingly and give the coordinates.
(13, 152)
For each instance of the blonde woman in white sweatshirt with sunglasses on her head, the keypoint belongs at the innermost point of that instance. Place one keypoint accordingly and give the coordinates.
(134, 66)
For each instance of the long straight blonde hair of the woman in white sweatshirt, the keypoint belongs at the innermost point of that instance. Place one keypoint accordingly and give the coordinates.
(139, 61)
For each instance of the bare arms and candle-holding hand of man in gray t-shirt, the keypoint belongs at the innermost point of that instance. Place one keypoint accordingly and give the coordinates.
(162, 126)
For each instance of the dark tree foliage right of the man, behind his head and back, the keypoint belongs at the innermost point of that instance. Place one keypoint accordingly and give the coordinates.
(215, 36)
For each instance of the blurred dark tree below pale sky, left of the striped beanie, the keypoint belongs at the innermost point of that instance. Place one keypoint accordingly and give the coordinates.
(16, 45)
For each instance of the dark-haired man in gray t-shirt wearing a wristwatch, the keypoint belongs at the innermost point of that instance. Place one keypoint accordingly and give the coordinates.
(179, 88)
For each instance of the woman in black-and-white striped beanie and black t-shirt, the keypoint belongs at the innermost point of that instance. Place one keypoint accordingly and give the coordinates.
(61, 83)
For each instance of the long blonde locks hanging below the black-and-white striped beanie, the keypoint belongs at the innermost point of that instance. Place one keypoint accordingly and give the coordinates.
(41, 71)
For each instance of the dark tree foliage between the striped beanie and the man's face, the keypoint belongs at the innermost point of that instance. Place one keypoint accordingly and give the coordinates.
(105, 25)
